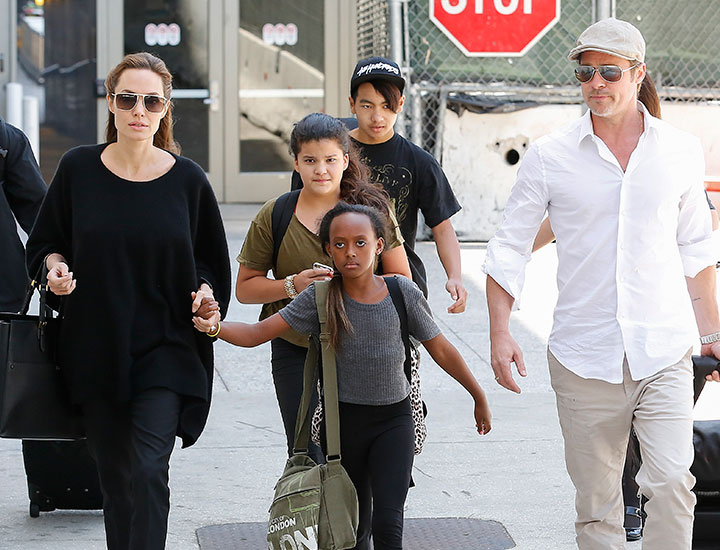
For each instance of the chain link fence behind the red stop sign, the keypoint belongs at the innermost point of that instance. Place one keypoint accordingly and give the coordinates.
(683, 58)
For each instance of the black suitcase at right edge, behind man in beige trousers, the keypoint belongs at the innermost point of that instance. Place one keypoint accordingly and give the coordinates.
(706, 467)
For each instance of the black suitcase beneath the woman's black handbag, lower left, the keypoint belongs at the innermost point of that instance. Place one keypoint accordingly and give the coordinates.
(61, 475)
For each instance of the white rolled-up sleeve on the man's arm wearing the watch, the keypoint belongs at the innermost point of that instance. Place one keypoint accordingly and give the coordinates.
(699, 245)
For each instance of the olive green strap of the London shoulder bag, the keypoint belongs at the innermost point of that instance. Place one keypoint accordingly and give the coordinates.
(320, 348)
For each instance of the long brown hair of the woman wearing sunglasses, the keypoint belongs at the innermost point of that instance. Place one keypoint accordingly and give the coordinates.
(163, 138)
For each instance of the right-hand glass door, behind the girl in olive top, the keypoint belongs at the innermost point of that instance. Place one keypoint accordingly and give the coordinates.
(275, 79)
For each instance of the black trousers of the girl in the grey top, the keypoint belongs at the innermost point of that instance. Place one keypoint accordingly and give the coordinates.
(376, 443)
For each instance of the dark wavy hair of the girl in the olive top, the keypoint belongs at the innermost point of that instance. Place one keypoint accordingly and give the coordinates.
(355, 186)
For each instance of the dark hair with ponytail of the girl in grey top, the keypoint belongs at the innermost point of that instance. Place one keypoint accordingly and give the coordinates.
(337, 319)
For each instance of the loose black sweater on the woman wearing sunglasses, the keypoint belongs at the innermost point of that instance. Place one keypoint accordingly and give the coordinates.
(137, 251)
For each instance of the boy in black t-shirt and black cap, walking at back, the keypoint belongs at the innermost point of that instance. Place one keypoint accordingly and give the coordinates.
(411, 176)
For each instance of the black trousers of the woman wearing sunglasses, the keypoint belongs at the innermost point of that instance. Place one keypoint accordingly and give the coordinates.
(131, 443)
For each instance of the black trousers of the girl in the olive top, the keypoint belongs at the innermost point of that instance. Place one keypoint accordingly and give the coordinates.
(288, 364)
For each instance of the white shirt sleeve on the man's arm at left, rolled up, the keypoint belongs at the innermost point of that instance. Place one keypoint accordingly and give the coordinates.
(509, 251)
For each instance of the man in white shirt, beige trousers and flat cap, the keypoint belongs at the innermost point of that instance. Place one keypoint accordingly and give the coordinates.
(636, 280)
